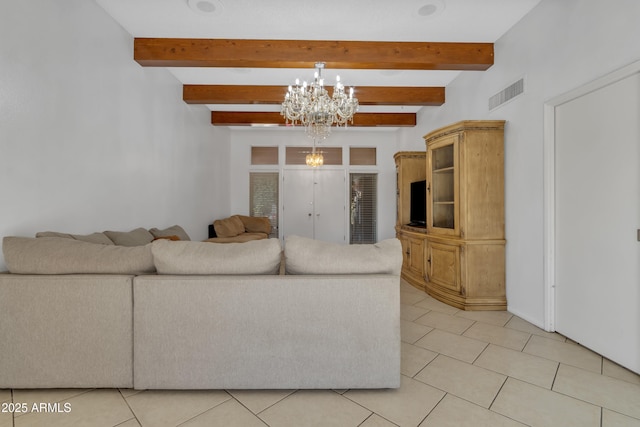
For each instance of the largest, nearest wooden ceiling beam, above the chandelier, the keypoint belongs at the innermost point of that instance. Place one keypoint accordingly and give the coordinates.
(238, 53)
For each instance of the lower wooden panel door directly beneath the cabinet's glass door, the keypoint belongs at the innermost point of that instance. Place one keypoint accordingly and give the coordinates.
(443, 264)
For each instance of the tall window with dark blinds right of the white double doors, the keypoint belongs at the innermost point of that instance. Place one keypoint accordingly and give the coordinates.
(363, 218)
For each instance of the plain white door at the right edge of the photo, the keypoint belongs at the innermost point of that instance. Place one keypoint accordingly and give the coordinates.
(597, 214)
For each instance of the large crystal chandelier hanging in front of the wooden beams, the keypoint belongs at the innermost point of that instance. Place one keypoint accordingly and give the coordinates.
(311, 105)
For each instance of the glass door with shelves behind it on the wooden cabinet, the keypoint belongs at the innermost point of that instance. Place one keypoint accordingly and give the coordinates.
(443, 187)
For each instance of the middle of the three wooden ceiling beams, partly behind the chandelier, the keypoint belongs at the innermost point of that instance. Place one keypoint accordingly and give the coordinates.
(368, 95)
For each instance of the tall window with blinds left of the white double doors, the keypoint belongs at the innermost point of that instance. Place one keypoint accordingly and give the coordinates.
(263, 195)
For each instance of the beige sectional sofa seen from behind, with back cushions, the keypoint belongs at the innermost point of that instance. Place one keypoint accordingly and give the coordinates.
(199, 315)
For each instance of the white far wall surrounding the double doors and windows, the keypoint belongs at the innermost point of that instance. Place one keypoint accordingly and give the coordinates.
(384, 141)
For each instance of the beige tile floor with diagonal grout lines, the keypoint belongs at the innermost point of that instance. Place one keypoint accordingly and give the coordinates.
(458, 369)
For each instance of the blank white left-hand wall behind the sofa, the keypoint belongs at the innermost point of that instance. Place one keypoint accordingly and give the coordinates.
(90, 140)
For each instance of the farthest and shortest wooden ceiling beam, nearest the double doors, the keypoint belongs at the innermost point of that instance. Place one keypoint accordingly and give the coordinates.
(243, 118)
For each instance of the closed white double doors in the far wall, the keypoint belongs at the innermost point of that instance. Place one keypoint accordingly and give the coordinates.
(314, 204)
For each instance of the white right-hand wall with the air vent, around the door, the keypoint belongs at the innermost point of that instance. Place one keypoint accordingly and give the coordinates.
(557, 47)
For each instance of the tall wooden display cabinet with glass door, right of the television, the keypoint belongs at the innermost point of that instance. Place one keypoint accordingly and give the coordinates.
(464, 248)
